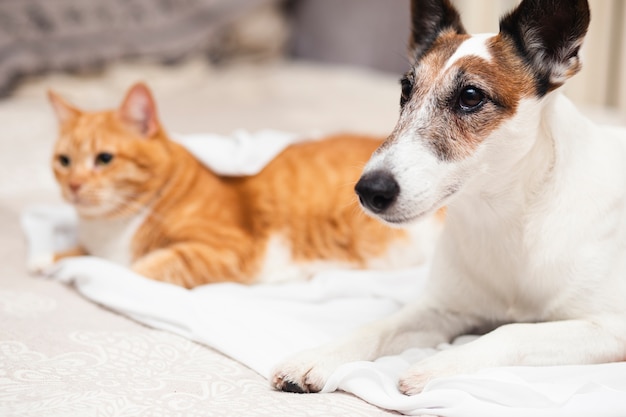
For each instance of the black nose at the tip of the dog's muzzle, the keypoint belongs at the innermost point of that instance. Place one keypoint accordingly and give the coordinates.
(377, 190)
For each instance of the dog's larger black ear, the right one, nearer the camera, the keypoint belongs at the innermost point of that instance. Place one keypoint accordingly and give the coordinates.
(549, 34)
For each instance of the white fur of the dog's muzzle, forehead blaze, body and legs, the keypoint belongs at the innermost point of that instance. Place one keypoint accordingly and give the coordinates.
(534, 247)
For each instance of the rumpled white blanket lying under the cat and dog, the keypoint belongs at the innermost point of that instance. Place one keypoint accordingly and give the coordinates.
(260, 325)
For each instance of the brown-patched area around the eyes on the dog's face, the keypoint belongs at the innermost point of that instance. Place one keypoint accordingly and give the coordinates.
(455, 106)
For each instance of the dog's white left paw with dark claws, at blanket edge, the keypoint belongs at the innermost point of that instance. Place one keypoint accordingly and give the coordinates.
(303, 373)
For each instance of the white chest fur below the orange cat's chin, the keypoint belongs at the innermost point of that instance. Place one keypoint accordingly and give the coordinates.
(110, 239)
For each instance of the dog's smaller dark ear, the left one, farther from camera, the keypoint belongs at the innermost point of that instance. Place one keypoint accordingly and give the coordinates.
(428, 19)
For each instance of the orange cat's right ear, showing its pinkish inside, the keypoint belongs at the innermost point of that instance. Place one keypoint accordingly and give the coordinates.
(138, 111)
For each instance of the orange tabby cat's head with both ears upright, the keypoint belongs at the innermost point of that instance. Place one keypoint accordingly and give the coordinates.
(110, 163)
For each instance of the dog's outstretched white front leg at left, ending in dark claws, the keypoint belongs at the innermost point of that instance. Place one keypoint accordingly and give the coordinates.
(417, 325)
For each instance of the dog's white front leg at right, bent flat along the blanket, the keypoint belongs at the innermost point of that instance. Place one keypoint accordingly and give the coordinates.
(528, 344)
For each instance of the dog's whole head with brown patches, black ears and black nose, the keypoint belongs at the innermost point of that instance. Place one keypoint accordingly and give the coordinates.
(469, 104)
